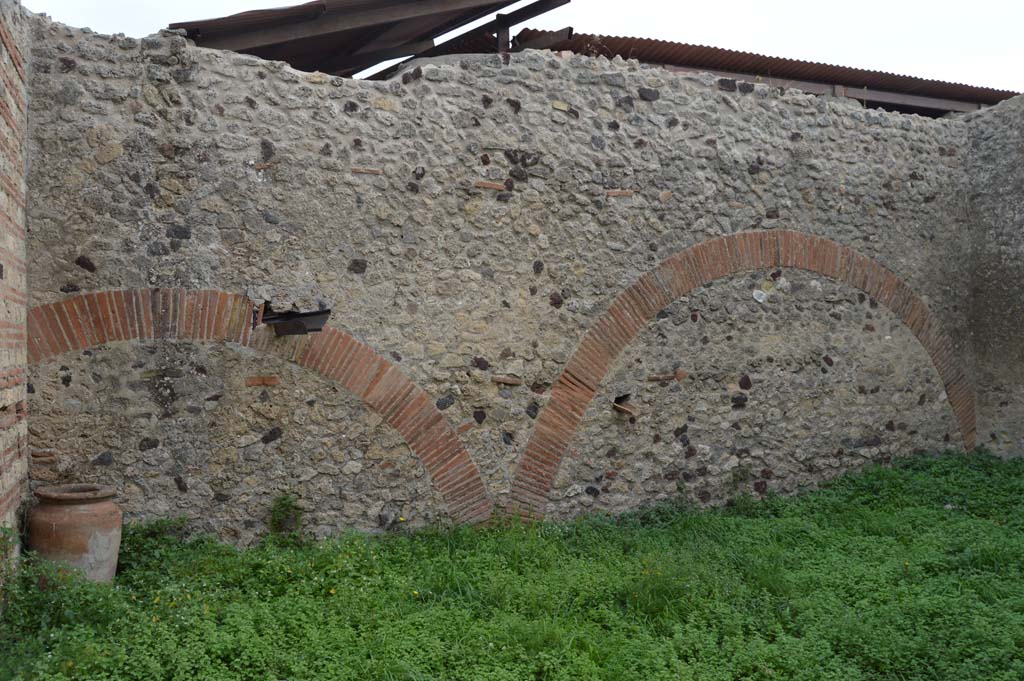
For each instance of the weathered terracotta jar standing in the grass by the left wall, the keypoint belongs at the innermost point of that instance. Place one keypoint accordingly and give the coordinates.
(80, 526)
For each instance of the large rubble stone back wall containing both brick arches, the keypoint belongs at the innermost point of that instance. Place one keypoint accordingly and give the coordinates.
(556, 283)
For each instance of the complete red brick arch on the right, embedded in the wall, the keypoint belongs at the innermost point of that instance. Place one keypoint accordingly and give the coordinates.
(697, 267)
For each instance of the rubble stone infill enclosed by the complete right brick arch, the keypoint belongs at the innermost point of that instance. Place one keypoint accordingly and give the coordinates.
(761, 410)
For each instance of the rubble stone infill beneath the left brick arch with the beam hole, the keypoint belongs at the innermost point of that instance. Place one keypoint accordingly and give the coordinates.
(179, 433)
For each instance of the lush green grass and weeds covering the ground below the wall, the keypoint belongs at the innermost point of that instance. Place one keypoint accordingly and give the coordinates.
(907, 573)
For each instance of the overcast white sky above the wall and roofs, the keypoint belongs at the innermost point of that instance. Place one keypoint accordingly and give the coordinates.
(979, 42)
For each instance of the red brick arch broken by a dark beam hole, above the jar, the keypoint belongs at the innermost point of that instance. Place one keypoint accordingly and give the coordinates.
(96, 319)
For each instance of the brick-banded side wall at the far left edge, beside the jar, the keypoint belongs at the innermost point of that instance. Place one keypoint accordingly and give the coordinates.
(14, 289)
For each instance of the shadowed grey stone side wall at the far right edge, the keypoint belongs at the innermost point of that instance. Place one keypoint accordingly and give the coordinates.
(997, 201)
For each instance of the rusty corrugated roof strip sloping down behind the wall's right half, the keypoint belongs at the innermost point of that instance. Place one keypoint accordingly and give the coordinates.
(769, 68)
